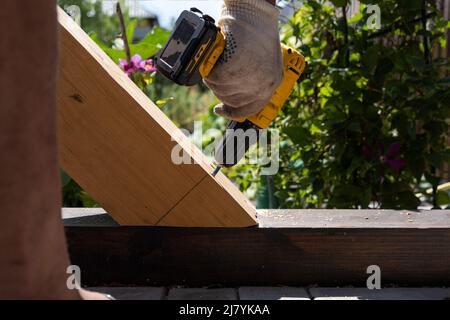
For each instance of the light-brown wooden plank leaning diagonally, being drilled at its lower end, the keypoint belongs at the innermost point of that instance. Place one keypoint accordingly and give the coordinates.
(118, 145)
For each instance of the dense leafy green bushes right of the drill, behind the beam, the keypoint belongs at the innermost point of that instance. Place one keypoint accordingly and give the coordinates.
(369, 121)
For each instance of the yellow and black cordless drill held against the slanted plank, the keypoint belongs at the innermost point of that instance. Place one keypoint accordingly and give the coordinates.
(190, 54)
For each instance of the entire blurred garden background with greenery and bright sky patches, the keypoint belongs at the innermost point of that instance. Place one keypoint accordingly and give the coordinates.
(367, 127)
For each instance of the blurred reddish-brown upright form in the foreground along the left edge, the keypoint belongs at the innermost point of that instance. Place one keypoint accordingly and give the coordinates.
(33, 259)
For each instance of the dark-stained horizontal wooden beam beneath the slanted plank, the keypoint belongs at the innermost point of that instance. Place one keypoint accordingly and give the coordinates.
(294, 248)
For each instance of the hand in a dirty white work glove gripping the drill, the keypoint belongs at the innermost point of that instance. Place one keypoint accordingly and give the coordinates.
(251, 67)
